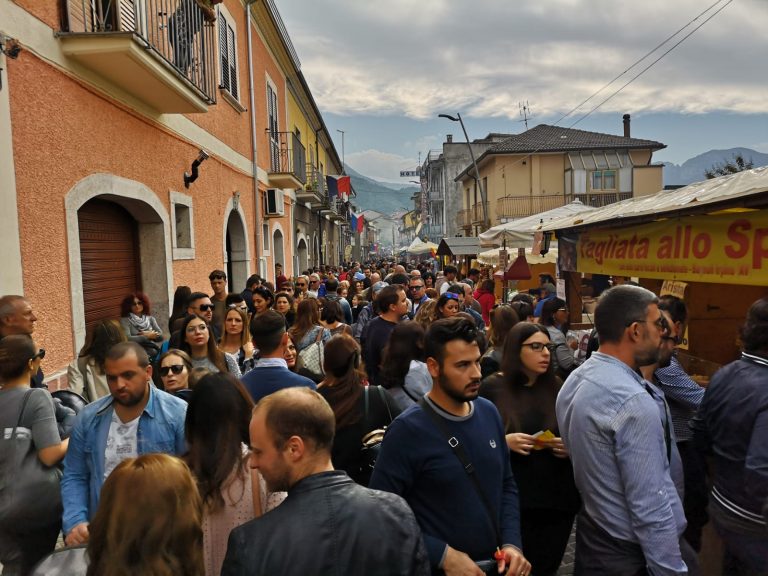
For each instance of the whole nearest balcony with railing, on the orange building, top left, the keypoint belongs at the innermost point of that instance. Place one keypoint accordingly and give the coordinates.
(162, 52)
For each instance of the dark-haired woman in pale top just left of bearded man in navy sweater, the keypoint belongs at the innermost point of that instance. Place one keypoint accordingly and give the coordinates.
(404, 371)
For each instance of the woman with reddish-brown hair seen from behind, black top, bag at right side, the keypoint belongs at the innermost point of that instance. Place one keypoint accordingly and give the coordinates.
(345, 390)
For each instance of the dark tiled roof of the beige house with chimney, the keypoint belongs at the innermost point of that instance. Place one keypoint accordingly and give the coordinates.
(546, 138)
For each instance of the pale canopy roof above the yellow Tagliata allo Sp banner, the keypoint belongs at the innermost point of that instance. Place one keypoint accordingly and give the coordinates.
(747, 187)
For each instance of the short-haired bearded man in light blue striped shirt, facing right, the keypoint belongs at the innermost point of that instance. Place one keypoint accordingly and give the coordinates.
(632, 518)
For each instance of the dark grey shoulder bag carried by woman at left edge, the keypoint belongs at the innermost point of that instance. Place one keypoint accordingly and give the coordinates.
(30, 494)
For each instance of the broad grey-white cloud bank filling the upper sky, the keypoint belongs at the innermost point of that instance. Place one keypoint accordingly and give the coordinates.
(485, 56)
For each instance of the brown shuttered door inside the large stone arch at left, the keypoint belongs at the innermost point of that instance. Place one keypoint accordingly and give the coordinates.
(109, 253)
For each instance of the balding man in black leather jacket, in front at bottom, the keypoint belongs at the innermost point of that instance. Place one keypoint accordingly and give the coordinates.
(328, 525)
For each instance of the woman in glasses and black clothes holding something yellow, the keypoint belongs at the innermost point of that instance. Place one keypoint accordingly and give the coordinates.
(525, 392)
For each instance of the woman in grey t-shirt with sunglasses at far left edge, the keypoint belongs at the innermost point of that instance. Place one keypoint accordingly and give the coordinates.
(28, 531)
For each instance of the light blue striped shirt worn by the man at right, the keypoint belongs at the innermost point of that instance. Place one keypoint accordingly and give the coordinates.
(613, 429)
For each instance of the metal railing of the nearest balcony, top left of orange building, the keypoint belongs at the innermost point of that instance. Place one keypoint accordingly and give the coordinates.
(176, 31)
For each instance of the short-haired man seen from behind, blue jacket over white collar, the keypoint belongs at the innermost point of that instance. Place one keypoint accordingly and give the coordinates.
(271, 373)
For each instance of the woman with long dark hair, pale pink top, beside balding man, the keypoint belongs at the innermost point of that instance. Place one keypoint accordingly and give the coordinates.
(216, 430)
